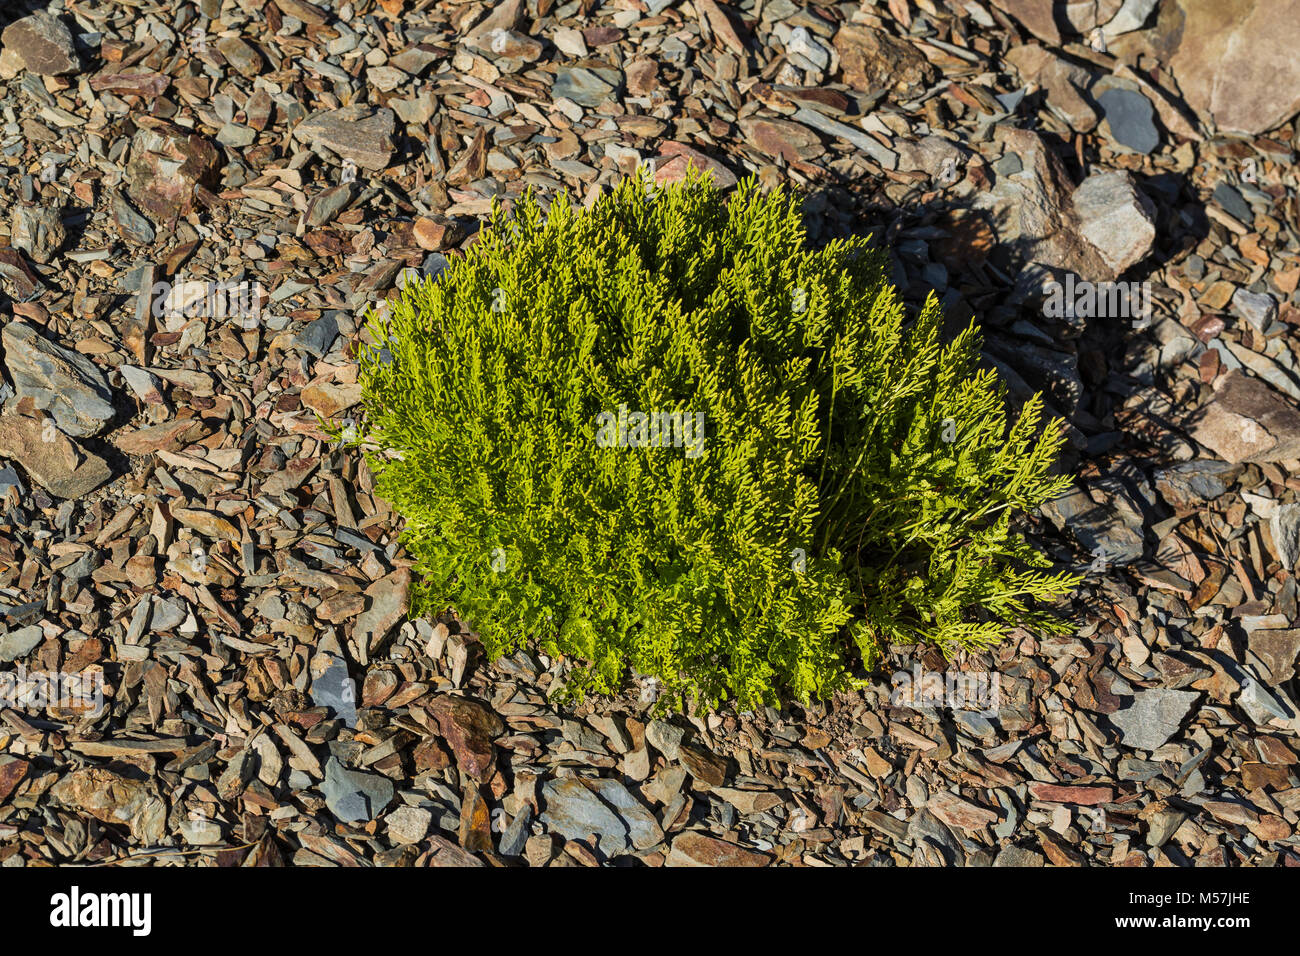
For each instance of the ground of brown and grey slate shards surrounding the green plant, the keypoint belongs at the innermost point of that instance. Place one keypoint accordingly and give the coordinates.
(175, 522)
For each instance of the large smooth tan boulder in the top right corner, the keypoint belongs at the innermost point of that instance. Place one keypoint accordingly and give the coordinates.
(1236, 62)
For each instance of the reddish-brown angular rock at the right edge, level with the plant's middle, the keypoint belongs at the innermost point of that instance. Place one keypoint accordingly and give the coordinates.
(1247, 422)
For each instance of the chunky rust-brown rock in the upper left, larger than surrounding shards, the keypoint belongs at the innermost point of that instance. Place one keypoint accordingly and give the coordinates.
(168, 163)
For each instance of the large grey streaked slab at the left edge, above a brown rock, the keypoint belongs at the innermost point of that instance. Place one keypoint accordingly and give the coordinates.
(66, 384)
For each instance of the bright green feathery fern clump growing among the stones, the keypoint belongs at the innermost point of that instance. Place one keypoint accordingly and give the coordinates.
(664, 435)
